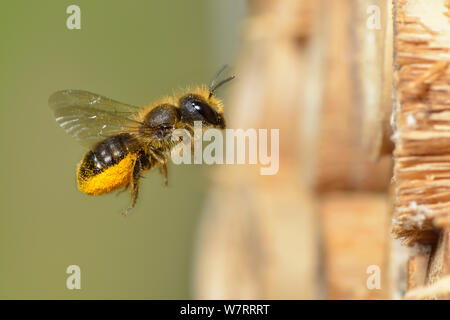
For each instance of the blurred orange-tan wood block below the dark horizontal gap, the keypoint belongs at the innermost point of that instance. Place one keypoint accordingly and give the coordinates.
(355, 237)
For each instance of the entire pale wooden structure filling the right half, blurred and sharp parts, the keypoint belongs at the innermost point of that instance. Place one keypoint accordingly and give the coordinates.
(314, 70)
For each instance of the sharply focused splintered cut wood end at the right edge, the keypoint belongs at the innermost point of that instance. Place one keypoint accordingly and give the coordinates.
(422, 119)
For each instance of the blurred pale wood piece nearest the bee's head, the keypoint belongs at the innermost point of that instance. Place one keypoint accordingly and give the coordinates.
(258, 238)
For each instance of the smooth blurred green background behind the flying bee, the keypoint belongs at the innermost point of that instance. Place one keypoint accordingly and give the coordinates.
(131, 51)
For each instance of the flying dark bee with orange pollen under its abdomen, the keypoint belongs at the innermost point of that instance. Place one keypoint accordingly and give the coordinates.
(126, 141)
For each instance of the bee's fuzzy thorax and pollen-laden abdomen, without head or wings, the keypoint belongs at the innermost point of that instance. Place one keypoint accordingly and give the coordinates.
(114, 162)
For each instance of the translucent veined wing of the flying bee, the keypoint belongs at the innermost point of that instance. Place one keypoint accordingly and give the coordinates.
(89, 117)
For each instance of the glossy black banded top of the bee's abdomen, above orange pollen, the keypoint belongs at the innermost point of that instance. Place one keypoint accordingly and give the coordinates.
(107, 153)
